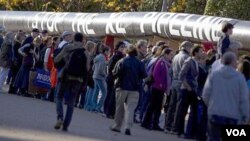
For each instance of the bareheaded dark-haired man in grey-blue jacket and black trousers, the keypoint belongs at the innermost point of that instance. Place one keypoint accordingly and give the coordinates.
(189, 86)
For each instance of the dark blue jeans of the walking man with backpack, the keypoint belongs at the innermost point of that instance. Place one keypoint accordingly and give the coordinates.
(72, 88)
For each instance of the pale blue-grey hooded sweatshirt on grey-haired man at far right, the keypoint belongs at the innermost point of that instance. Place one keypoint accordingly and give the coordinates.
(226, 94)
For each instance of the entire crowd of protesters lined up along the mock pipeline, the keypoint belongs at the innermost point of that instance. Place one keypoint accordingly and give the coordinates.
(135, 83)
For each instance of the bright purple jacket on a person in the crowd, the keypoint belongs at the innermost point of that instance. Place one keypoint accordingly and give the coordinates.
(161, 75)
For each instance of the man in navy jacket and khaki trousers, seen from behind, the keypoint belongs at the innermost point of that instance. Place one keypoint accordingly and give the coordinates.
(128, 72)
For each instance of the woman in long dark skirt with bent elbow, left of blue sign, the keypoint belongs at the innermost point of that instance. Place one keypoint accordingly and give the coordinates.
(30, 55)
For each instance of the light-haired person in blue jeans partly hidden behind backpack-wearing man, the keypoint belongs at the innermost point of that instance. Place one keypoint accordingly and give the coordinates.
(91, 48)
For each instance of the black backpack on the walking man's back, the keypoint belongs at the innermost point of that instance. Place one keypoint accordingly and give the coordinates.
(76, 64)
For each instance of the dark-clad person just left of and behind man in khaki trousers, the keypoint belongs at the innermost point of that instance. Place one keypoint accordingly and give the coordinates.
(109, 105)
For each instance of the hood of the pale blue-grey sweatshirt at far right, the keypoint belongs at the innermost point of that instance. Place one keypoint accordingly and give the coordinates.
(227, 72)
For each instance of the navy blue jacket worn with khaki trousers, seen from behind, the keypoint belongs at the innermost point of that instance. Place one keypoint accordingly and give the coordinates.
(129, 73)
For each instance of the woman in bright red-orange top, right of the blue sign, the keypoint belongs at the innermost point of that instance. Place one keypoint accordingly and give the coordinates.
(50, 65)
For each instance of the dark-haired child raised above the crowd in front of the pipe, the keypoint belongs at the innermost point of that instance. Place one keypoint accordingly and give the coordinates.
(224, 41)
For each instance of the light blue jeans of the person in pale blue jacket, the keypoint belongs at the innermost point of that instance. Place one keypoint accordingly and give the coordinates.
(100, 85)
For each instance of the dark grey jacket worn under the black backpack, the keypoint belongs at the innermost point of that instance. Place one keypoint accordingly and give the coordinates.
(63, 55)
